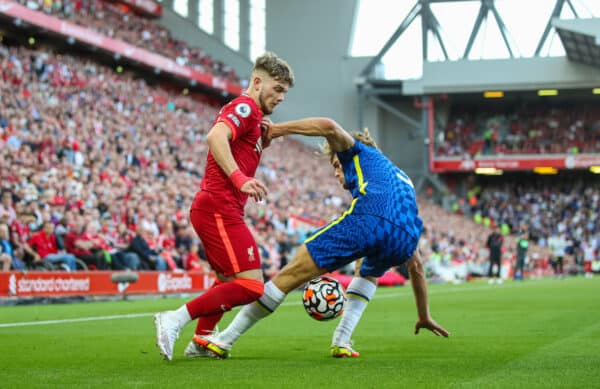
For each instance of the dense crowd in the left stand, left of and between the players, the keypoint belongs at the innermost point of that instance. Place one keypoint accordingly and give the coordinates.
(115, 172)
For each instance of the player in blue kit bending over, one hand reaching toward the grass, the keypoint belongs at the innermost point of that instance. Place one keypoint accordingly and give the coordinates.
(381, 227)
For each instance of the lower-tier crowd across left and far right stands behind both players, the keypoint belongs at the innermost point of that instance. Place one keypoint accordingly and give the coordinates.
(95, 176)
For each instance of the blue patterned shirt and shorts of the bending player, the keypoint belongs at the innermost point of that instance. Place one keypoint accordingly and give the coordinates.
(382, 223)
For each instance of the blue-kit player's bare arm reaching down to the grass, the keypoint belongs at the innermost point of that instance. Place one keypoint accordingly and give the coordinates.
(419, 285)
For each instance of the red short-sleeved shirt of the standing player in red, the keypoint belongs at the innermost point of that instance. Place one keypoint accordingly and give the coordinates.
(243, 116)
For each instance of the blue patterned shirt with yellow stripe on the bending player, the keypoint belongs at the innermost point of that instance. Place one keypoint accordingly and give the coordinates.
(380, 188)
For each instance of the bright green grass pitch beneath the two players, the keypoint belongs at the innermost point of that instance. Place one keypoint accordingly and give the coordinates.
(538, 333)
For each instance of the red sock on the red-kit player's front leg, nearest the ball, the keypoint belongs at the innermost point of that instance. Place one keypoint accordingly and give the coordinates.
(222, 298)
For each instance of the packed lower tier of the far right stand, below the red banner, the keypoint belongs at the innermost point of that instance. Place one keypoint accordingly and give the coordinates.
(563, 207)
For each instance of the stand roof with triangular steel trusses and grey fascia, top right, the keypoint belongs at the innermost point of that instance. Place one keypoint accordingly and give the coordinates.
(512, 72)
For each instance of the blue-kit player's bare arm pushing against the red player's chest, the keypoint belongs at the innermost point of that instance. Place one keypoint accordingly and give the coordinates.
(337, 137)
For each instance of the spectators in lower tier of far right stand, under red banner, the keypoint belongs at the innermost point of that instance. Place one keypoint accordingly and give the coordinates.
(559, 214)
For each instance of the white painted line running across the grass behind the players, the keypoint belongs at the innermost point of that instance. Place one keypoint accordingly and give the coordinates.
(289, 303)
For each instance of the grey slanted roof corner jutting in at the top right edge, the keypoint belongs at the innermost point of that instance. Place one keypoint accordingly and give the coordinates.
(581, 39)
